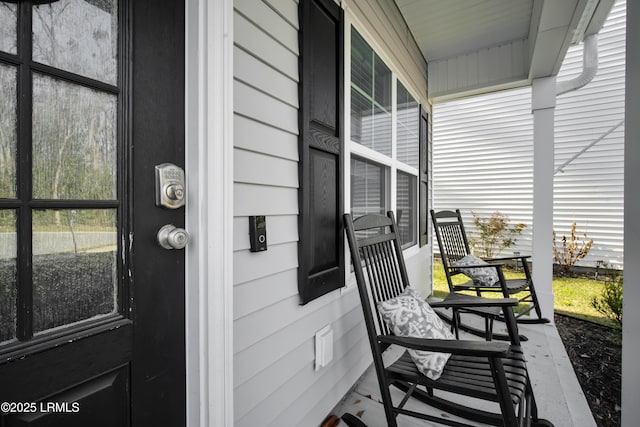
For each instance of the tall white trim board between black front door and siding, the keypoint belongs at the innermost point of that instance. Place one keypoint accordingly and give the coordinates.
(209, 171)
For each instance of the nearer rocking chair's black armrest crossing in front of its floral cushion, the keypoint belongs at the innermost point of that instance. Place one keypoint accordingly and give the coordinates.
(461, 347)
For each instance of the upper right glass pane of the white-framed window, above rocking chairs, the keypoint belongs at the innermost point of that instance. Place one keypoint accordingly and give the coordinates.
(408, 127)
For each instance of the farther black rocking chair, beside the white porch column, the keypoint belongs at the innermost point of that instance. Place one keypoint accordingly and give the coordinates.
(453, 244)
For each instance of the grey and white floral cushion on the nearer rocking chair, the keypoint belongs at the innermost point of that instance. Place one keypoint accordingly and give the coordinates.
(408, 315)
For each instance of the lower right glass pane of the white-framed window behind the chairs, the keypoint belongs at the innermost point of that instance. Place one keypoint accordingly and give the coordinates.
(406, 209)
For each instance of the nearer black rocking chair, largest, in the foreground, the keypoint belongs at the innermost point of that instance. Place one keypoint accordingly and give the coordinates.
(490, 371)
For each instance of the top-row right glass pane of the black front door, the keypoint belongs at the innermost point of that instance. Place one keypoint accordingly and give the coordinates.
(80, 36)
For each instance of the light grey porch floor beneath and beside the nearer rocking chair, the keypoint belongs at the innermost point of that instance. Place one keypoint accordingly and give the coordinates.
(557, 391)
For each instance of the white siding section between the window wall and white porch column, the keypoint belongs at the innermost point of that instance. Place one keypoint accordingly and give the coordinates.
(483, 158)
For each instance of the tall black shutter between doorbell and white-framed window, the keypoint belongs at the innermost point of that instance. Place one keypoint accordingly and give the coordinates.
(321, 241)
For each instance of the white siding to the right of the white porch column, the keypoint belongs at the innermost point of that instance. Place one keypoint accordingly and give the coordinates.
(590, 188)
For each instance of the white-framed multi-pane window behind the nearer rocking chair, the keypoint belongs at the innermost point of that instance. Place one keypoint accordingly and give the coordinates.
(382, 140)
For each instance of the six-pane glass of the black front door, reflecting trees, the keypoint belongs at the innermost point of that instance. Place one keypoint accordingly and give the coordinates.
(74, 156)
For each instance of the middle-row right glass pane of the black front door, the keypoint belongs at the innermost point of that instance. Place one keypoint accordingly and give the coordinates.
(74, 141)
